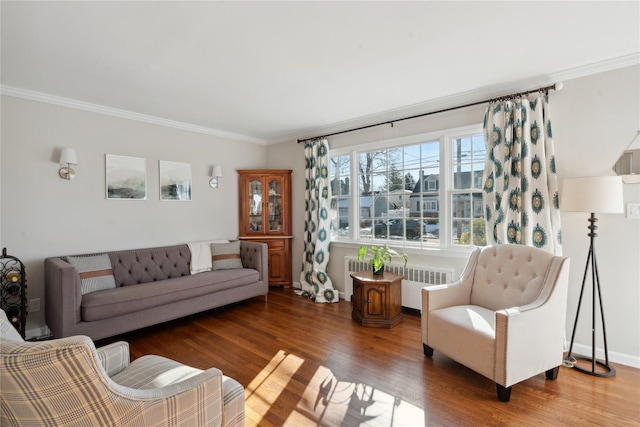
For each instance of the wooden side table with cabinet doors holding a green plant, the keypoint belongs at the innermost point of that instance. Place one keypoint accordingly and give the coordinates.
(377, 299)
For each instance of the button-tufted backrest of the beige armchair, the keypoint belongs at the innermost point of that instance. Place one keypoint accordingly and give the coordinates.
(509, 276)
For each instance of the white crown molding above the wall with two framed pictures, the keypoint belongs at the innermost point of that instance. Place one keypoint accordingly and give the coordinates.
(115, 112)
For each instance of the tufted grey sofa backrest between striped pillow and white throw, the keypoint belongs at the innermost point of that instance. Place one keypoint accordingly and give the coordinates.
(149, 265)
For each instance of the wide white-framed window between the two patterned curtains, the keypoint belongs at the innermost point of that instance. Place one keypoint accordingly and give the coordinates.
(424, 190)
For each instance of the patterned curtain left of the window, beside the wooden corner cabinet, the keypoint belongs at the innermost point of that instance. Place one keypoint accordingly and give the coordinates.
(315, 282)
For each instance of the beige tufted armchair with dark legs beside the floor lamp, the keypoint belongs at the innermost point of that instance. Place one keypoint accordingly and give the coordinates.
(504, 317)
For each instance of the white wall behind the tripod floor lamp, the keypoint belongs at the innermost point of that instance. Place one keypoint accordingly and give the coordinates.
(595, 119)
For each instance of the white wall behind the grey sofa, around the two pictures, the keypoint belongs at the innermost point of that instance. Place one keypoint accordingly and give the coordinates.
(43, 215)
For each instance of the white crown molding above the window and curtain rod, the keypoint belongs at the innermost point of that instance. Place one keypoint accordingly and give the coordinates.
(463, 98)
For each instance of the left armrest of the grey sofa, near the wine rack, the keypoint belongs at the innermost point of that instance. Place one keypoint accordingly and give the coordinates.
(63, 297)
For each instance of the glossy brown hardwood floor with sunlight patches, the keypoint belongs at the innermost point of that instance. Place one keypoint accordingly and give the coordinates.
(307, 364)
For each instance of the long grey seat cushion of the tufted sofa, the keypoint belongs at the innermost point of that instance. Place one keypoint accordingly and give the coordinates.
(129, 299)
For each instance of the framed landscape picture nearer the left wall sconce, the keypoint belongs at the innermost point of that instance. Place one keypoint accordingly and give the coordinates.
(126, 177)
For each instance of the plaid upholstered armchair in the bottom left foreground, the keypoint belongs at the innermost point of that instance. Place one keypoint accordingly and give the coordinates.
(69, 382)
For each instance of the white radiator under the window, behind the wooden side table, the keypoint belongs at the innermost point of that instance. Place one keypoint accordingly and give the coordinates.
(416, 277)
